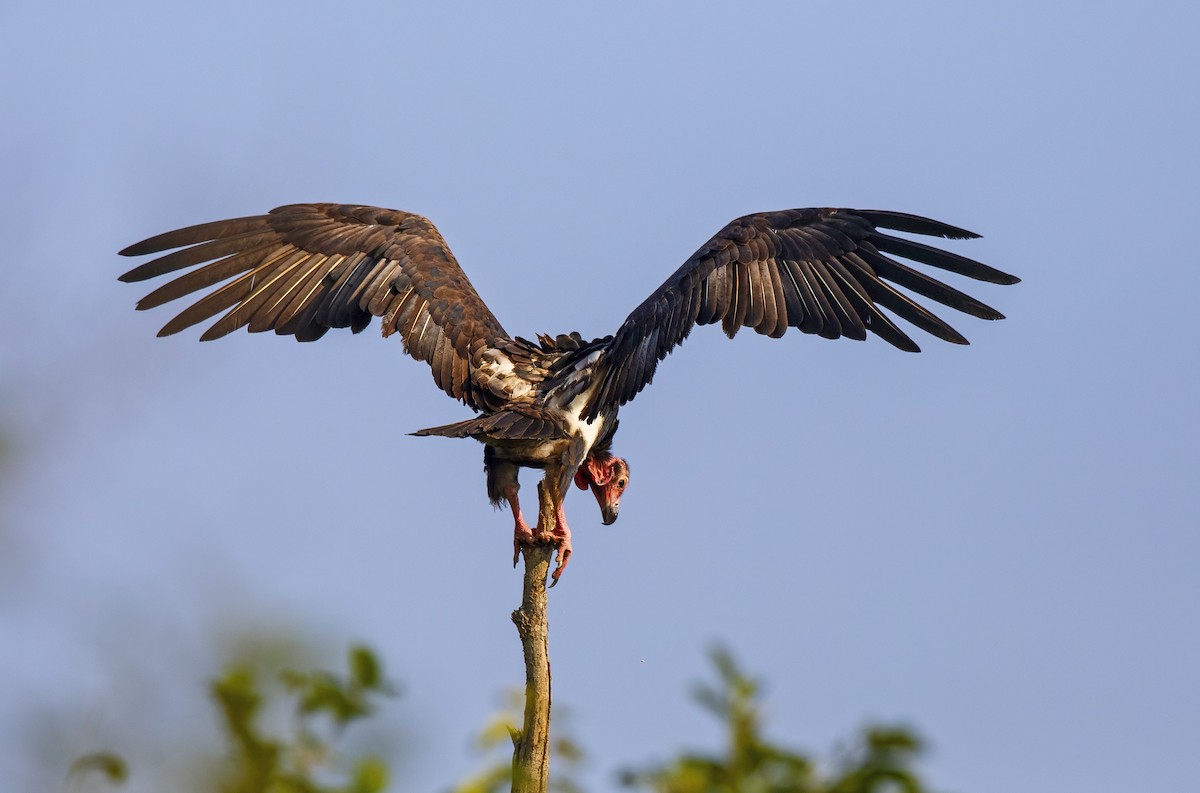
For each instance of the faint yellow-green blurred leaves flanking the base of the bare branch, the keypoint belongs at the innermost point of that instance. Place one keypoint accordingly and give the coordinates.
(497, 740)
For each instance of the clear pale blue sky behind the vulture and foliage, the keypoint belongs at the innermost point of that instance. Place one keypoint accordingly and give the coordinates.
(997, 544)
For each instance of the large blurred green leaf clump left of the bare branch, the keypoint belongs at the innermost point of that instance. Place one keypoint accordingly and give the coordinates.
(307, 760)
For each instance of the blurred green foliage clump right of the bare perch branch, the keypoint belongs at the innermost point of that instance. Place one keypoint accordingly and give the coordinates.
(881, 762)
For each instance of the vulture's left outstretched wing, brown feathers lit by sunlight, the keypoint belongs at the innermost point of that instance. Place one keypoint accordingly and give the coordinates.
(307, 268)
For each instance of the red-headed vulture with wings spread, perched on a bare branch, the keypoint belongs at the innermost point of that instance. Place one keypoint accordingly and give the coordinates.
(553, 404)
